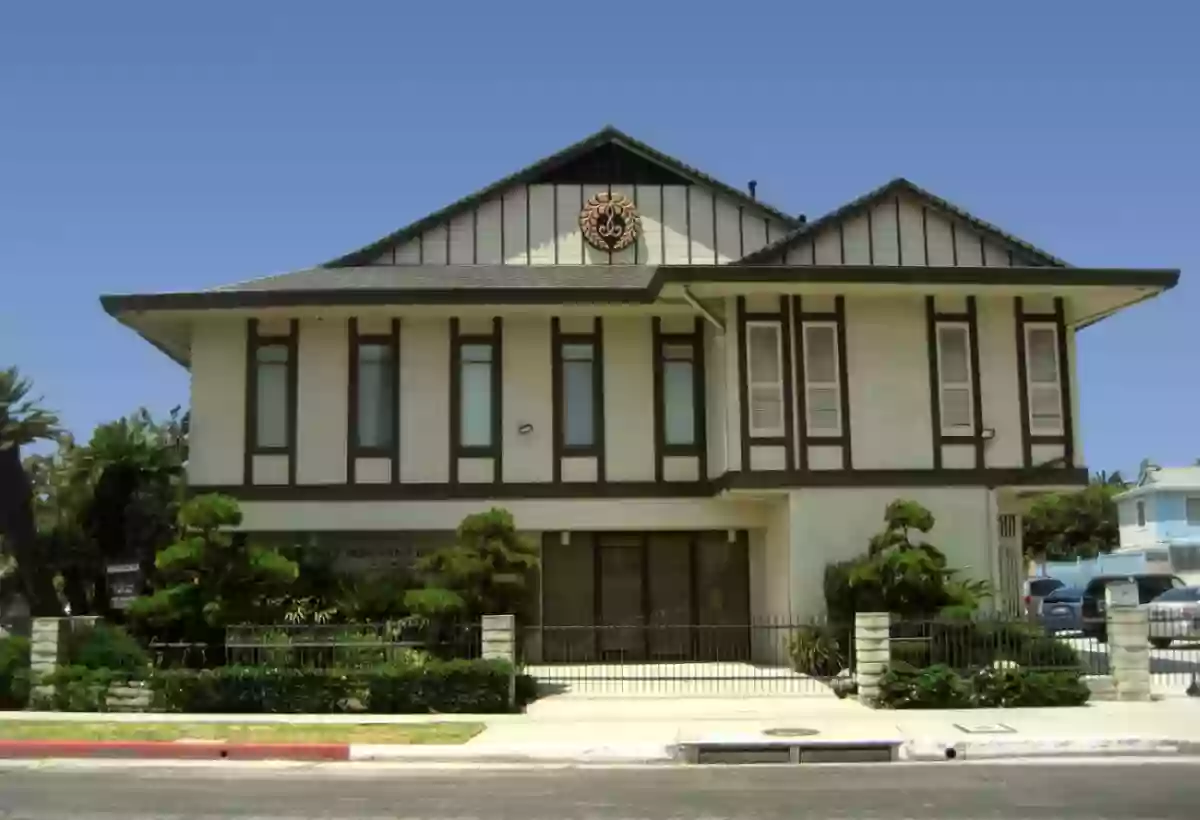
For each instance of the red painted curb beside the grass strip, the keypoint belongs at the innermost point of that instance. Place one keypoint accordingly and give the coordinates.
(175, 751)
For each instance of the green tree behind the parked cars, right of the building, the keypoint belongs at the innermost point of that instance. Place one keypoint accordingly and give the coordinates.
(1065, 526)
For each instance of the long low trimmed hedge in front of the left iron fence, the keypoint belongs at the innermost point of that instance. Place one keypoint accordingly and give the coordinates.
(437, 686)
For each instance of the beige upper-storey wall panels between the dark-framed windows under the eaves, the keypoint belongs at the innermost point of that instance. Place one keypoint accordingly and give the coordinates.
(887, 385)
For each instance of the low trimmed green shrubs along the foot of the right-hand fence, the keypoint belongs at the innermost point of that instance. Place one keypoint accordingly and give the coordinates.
(941, 687)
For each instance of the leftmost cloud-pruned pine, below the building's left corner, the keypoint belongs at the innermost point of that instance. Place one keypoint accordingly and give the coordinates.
(213, 578)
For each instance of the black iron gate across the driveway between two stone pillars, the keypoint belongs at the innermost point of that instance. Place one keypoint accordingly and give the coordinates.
(763, 657)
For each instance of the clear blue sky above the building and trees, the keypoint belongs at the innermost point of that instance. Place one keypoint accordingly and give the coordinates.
(157, 147)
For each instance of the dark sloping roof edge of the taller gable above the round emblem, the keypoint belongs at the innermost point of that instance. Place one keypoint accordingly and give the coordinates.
(605, 136)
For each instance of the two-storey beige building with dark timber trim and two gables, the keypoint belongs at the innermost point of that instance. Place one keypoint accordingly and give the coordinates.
(693, 400)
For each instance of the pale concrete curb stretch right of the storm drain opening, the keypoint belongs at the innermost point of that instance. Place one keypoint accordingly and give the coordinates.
(1076, 747)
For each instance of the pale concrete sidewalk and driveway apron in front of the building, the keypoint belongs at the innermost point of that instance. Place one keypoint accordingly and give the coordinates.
(657, 731)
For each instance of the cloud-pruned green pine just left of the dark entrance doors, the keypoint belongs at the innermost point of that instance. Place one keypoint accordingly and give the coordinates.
(487, 572)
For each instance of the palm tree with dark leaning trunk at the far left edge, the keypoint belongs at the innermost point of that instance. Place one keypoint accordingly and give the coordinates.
(23, 422)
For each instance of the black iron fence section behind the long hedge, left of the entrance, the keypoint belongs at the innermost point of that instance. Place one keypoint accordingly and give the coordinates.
(326, 647)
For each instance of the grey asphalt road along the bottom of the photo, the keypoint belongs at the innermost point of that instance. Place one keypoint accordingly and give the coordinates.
(1151, 789)
